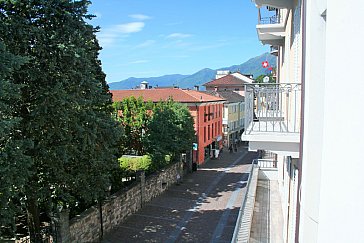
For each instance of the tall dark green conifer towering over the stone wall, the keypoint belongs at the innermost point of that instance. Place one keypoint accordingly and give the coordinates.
(65, 107)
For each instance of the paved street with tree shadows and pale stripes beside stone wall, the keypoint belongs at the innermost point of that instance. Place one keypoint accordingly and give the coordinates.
(203, 208)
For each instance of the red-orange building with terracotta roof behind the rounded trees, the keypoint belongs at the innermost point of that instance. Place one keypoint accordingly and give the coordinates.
(205, 109)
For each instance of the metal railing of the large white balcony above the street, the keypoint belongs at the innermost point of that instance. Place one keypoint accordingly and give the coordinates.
(272, 108)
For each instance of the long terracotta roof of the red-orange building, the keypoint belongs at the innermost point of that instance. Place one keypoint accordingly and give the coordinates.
(155, 95)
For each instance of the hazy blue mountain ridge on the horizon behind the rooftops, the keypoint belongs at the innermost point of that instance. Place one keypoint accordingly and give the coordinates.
(252, 66)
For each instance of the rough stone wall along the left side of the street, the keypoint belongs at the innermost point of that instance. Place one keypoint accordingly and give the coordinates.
(87, 227)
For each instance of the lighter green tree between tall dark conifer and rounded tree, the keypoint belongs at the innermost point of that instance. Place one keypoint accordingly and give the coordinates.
(133, 115)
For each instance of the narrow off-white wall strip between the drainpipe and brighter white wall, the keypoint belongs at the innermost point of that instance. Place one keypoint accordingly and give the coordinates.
(313, 119)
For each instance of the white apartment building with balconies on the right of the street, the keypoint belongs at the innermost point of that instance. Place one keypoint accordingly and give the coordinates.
(311, 118)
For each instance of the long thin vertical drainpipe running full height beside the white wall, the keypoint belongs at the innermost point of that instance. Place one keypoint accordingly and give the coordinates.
(298, 209)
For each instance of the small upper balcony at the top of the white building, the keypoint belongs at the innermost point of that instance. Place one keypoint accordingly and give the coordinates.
(271, 28)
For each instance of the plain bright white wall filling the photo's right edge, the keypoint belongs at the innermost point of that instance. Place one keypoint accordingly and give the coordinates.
(342, 182)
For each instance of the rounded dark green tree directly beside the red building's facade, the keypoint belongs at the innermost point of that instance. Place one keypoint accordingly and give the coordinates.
(171, 131)
